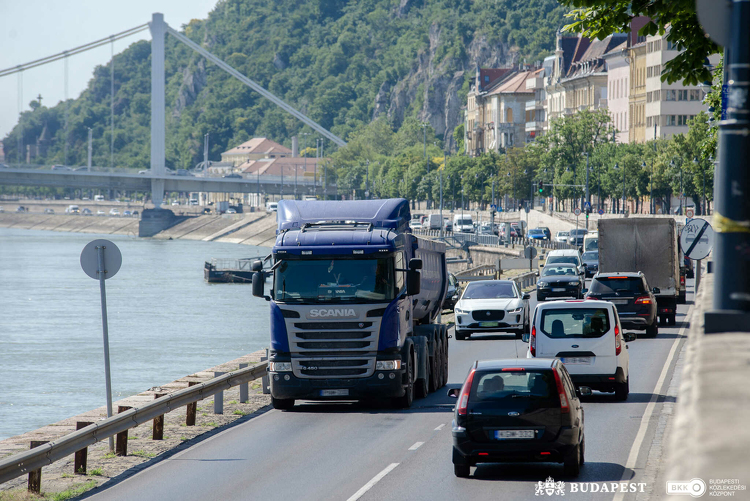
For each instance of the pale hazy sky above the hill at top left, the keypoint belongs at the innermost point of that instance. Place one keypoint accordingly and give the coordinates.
(33, 29)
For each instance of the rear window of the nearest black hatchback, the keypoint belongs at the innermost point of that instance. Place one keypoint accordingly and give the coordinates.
(505, 385)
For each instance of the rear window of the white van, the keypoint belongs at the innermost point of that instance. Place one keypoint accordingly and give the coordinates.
(575, 322)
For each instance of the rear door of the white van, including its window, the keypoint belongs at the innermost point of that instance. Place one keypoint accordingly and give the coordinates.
(581, 335)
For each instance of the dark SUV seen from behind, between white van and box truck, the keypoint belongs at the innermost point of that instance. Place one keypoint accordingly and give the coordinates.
(629, 292)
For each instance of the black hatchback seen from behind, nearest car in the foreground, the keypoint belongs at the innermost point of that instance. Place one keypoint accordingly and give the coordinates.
(518, 410)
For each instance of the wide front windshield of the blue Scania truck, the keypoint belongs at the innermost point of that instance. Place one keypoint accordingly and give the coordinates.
(335, 280)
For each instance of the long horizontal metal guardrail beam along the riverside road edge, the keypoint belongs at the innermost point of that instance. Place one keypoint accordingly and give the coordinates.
(25, 462)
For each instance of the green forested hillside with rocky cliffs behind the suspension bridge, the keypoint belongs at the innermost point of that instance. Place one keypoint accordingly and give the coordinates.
(342, 63)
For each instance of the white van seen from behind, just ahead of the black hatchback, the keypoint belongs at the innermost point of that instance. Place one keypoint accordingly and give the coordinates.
(588, 338)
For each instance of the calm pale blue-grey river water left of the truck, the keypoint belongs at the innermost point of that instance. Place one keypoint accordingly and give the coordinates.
(165, 321)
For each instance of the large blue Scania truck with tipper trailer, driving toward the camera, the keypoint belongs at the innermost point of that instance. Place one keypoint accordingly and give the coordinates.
(354, 298)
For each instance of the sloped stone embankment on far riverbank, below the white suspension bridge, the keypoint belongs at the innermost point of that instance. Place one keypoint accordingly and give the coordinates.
(248, 229)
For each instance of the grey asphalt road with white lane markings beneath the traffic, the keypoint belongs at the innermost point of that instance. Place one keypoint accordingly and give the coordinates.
(342, 451)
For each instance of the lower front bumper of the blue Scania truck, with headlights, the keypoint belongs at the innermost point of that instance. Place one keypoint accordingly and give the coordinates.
(382, 384)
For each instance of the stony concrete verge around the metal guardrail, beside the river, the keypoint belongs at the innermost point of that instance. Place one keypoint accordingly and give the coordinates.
(142, 450)
